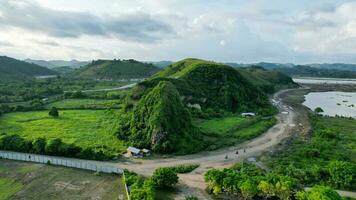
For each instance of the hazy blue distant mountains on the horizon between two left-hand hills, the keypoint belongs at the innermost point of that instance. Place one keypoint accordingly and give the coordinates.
(58, 63)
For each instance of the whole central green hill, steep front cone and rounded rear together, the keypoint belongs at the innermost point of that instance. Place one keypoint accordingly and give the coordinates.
(158, 113)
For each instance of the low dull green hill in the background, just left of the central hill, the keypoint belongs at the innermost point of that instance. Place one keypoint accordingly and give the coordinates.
(116, 70)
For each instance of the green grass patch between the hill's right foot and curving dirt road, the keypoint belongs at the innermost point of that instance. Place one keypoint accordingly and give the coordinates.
(232, 130)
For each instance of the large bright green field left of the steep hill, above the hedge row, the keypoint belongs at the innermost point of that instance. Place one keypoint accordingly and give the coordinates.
(85, 128)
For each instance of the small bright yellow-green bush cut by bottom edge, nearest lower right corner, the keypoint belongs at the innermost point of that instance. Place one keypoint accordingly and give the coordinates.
(319, 193)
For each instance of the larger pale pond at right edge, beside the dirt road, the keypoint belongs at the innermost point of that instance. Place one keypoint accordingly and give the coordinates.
(333, 103)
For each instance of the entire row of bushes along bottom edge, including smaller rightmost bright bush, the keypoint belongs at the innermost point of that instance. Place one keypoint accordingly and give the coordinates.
(246, 181)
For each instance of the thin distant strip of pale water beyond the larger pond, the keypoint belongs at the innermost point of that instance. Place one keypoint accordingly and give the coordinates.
(314, 80)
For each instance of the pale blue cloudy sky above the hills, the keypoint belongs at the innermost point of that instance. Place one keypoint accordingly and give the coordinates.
(242, 31)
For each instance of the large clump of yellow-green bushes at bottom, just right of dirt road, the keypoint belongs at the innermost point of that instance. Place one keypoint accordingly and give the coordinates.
(245, 180)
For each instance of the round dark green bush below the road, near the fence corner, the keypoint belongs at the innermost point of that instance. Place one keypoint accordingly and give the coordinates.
(164, 177)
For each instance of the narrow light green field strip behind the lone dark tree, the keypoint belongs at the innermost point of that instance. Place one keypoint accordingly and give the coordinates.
(84, 103)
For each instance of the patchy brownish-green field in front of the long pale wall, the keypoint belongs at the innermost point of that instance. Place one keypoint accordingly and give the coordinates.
(19, 180)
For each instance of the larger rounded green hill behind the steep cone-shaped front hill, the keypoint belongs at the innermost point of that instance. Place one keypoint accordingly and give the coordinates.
(211, 85)
